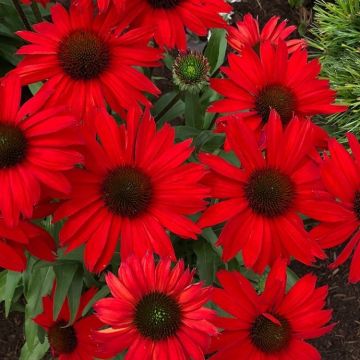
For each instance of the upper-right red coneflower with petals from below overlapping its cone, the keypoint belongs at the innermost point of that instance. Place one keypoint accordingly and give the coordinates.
(273, 80)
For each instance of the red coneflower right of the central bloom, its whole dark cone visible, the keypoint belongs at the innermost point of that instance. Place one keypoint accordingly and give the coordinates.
(261, 200)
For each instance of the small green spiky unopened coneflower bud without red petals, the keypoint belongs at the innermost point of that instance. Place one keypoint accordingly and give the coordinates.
(191, 72)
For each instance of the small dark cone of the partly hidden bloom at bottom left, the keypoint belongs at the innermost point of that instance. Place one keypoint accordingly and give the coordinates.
(62, 338)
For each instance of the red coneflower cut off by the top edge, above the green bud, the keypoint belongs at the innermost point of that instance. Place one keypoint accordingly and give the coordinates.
(171, 17)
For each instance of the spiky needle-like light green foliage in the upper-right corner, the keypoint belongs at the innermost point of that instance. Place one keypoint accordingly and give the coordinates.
(336, 42)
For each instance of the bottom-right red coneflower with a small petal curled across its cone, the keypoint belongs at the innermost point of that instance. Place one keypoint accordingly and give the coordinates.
(274, 324)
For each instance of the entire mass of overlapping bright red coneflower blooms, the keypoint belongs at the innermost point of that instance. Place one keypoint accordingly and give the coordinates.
(129, 187)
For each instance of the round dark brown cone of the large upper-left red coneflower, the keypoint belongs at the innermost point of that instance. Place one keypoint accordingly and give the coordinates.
(83, 55)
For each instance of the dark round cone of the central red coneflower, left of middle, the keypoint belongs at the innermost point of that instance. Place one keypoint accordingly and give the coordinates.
(127, 191)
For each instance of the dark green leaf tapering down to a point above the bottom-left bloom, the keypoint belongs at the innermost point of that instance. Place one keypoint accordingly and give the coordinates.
(64, 277)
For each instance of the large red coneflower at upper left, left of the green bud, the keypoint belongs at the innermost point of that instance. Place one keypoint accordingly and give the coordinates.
(85, 62)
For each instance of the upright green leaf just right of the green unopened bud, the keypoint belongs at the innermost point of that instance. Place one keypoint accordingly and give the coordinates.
(216, 49)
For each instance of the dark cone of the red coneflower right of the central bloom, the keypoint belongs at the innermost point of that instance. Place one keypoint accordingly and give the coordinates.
(269, 192)
